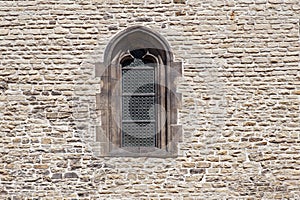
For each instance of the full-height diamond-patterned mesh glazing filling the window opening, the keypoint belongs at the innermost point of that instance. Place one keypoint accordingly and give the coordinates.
(138, 105)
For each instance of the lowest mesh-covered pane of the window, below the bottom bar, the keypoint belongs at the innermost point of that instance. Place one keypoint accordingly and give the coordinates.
(138, 134)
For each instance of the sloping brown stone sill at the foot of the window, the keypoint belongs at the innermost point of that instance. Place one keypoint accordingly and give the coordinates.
(140, 152)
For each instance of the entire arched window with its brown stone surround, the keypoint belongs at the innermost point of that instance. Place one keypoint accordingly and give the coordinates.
(138, 99)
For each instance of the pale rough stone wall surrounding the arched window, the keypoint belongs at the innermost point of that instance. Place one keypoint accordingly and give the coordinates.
(240, 112)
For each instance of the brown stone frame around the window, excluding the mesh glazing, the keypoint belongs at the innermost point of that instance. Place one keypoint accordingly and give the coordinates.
(138, 44)
